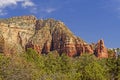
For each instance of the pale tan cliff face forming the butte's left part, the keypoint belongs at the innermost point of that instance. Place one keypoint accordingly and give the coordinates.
(16, 32)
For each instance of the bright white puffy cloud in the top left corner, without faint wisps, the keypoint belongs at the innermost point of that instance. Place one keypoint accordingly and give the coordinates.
(8, 3)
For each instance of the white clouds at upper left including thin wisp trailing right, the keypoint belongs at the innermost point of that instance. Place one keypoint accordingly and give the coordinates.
(32, 7)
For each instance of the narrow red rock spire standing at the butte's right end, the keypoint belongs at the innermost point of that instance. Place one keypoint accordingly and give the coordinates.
(101, 50)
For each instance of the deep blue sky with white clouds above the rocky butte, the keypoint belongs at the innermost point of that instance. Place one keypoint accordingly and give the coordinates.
(89, 19)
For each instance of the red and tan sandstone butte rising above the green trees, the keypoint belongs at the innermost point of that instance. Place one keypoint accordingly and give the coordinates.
(19, 33)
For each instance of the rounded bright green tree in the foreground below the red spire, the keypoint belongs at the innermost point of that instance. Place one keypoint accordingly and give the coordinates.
(90, 68)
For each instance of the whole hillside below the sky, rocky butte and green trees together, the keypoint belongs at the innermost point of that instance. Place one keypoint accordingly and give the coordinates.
(33, 49)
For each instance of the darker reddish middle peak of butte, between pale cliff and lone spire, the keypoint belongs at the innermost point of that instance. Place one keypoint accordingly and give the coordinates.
(54, 35)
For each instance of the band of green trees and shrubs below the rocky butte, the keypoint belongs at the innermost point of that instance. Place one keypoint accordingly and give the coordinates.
(31, 66)
